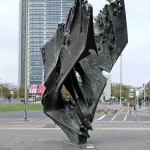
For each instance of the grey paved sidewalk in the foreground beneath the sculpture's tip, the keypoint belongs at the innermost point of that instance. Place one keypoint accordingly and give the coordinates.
(55, 139)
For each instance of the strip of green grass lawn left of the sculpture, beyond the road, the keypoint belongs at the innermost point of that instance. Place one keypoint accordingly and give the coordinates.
(4, 107)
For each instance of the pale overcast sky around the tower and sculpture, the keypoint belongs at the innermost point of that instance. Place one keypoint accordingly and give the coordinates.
(136, 55)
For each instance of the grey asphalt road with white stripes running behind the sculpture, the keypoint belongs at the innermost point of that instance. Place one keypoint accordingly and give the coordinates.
(123, 115)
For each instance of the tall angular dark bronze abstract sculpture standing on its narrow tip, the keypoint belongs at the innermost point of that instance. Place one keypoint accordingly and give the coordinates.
(81, 48)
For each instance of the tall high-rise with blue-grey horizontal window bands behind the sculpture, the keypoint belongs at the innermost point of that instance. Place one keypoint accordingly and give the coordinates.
(39, 20)
